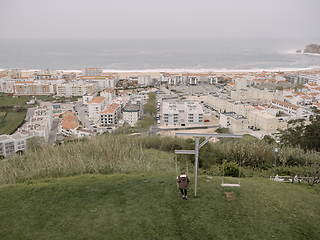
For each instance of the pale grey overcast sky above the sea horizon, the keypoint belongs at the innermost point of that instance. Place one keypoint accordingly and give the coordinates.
(159, 18)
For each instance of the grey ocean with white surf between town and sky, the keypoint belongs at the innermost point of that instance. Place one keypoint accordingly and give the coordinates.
(158, 54)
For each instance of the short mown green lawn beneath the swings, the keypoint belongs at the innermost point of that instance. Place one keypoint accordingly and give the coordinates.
(149, 207)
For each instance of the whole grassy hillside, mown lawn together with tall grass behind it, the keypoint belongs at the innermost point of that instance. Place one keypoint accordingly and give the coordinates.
(123, 187)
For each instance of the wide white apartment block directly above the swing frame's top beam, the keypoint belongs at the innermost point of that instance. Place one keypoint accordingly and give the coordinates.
(181, 113)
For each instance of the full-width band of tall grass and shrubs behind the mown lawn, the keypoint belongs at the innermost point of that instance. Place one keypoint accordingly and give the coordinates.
(141, 154)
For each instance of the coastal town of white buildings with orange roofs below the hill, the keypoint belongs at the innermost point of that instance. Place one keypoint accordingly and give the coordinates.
(92, 102)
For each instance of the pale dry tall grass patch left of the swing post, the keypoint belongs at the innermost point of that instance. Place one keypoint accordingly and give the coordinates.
(105, 154)
